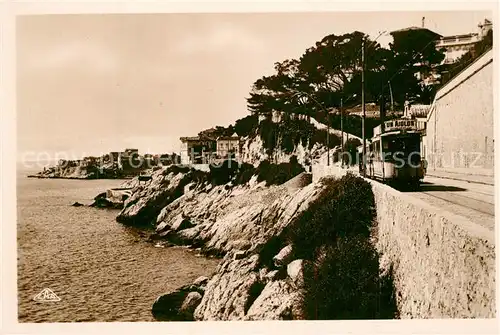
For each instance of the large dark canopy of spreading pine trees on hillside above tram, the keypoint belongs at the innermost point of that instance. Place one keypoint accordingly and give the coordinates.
(331, 70)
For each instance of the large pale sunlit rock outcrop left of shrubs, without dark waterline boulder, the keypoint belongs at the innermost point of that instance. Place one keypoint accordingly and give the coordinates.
(243, 224)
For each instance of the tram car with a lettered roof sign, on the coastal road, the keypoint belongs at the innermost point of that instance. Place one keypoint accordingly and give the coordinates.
(393, 154)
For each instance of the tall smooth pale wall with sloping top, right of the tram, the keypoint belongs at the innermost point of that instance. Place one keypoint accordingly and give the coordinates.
(459, 135)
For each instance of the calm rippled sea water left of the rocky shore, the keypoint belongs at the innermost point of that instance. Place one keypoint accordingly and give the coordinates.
(101, 270)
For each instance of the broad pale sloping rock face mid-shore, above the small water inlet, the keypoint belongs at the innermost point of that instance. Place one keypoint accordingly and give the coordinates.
(239, 218)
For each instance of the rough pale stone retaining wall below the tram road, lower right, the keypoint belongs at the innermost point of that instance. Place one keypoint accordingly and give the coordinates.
(444, 265)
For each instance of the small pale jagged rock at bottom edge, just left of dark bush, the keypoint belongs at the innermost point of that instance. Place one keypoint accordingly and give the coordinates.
(278, 301)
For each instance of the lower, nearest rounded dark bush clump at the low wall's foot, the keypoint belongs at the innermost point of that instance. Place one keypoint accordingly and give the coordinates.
(345, 283)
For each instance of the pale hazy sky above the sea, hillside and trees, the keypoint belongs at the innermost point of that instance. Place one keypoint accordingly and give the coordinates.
(89, 84)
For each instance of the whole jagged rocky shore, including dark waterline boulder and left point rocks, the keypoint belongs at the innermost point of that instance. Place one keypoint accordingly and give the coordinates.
(236, 223)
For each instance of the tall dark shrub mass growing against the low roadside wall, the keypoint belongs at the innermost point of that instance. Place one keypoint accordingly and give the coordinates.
(341, 277)
